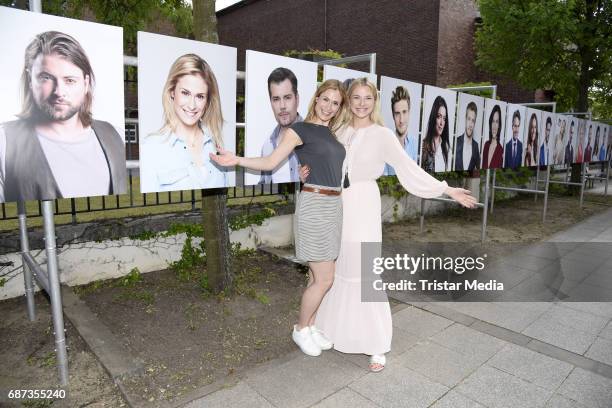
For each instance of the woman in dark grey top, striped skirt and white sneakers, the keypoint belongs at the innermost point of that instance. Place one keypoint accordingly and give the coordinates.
(319, 209)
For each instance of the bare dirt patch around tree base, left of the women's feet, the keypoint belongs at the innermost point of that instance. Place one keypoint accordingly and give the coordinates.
(188, 339)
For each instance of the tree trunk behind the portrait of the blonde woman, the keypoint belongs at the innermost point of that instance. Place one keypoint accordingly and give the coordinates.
(214, 201)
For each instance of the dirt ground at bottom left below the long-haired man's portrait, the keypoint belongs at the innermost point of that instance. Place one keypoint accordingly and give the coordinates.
(28, 361)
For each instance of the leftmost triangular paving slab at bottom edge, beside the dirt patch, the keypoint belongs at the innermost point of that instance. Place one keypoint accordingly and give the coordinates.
(241, 395)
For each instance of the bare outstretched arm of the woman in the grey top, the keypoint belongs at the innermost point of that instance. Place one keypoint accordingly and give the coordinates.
(268, 163)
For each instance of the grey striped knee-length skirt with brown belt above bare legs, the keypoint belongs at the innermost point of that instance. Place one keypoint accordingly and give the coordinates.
(318, 225)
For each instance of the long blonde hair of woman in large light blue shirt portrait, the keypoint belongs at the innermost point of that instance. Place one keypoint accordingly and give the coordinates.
(191, 64)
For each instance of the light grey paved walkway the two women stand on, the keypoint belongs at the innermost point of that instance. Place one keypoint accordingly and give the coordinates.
(487, 354)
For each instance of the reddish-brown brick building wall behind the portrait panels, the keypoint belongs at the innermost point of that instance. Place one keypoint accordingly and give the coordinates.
(426, 41)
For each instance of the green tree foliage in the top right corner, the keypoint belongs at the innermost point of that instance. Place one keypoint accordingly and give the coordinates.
(564, 45)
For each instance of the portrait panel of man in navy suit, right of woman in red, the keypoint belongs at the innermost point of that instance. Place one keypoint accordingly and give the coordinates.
(514, 136)
